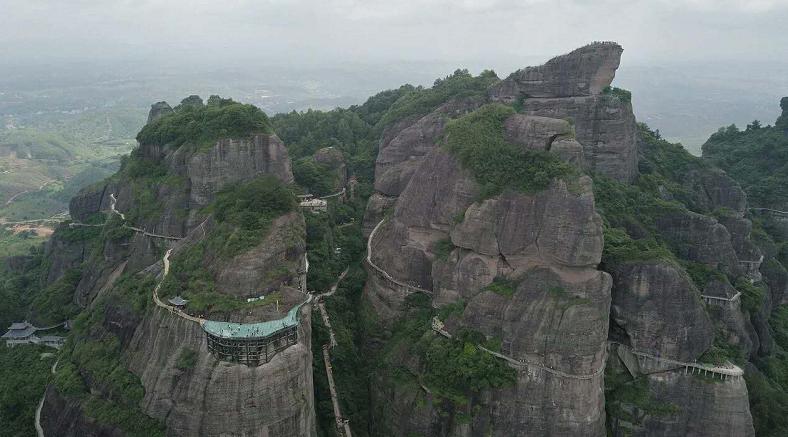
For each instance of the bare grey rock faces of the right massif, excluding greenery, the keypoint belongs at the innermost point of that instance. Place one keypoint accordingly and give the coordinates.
(441, 239)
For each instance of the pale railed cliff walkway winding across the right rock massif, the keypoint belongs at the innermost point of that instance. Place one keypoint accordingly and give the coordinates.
(724, 373)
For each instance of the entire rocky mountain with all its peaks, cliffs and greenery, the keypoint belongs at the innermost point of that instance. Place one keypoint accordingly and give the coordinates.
(485, 257)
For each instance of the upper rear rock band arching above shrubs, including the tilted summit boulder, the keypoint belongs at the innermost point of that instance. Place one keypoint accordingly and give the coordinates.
(574, 87)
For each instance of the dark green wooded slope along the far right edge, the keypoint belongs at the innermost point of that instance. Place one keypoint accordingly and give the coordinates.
(757, 157)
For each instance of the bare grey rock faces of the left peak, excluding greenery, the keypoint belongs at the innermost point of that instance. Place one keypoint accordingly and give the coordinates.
(208, 397)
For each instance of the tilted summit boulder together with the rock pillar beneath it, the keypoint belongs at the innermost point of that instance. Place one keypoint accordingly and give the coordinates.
(571, 87)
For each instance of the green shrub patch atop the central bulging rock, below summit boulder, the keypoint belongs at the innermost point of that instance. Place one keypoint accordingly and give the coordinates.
(477, 140)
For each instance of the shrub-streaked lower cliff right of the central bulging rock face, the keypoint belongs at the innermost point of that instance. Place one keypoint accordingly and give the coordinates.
(675, 264)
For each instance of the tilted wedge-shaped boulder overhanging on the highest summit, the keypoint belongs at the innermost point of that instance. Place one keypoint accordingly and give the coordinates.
(583, 72)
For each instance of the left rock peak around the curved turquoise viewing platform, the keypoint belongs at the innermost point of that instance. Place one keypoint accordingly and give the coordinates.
(213, 195)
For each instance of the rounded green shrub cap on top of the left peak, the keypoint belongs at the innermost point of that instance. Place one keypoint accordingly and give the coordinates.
(198, 124)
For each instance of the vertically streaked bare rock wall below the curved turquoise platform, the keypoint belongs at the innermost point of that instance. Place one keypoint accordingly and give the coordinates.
(216, 398)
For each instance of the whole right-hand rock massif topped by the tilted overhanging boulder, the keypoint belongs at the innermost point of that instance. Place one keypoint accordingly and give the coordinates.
(508, 257)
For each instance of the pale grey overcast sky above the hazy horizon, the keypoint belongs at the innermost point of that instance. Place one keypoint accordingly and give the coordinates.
(374, 31)
